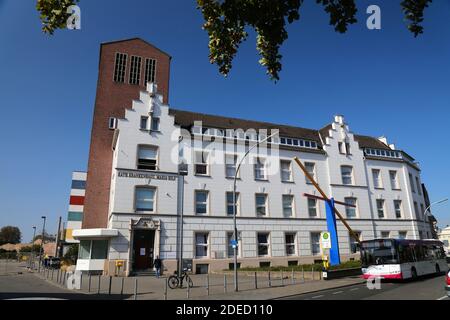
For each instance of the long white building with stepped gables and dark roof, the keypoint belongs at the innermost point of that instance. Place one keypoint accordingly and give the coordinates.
(277, 223)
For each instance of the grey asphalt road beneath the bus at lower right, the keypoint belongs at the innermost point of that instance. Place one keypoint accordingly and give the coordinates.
(429, 288)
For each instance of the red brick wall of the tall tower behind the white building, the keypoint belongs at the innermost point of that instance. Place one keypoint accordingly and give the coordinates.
(111, 101)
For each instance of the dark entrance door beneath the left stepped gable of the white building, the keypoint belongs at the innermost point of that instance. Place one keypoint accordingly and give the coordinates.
(143, 241)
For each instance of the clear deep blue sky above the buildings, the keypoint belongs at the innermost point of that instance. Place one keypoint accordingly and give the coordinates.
(385, 82)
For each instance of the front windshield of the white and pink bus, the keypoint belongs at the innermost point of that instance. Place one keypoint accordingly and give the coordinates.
(378, 252)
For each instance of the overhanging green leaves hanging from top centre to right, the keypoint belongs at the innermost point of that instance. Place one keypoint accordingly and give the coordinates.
(226, 21)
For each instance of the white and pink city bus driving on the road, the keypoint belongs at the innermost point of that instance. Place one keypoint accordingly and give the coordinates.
(401, 258)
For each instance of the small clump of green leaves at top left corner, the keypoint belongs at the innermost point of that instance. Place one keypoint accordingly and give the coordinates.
(53, 14)
